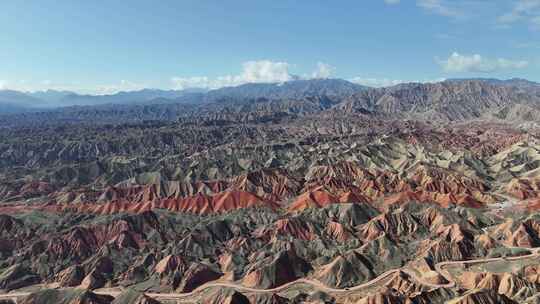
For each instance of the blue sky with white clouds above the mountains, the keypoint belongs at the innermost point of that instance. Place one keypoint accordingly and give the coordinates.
(106, 46)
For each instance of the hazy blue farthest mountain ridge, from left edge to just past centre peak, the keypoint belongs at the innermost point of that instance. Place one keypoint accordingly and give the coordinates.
(14, 101)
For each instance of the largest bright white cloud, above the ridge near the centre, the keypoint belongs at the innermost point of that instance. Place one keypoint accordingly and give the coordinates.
(264, 71)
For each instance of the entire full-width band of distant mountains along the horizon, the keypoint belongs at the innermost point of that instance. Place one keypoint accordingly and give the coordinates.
(450, 100)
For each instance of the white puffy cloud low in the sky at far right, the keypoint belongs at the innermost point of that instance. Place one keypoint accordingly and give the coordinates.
(476, 63)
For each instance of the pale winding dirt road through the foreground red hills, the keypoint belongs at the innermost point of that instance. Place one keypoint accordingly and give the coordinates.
(439, 268)
